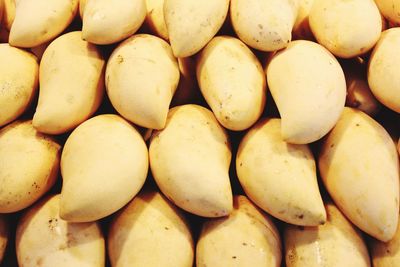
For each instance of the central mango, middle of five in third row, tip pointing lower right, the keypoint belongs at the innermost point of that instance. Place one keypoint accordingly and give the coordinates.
(190, 159)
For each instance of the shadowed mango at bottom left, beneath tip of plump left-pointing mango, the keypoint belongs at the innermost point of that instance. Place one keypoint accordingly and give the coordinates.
(44, 239)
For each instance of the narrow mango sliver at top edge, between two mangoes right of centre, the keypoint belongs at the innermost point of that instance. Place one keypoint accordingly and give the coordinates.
(301, 28)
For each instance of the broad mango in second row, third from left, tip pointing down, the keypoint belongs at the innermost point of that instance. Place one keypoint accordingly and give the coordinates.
(141, 78)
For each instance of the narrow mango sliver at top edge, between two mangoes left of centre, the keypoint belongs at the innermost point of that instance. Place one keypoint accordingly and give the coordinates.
(155, 18)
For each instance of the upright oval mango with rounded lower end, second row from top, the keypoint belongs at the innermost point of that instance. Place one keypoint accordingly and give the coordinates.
(232, 81)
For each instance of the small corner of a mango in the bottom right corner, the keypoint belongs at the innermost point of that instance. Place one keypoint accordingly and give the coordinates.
(386, 254)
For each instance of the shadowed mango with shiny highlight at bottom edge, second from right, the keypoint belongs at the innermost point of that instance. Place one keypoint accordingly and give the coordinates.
(336, 243)
